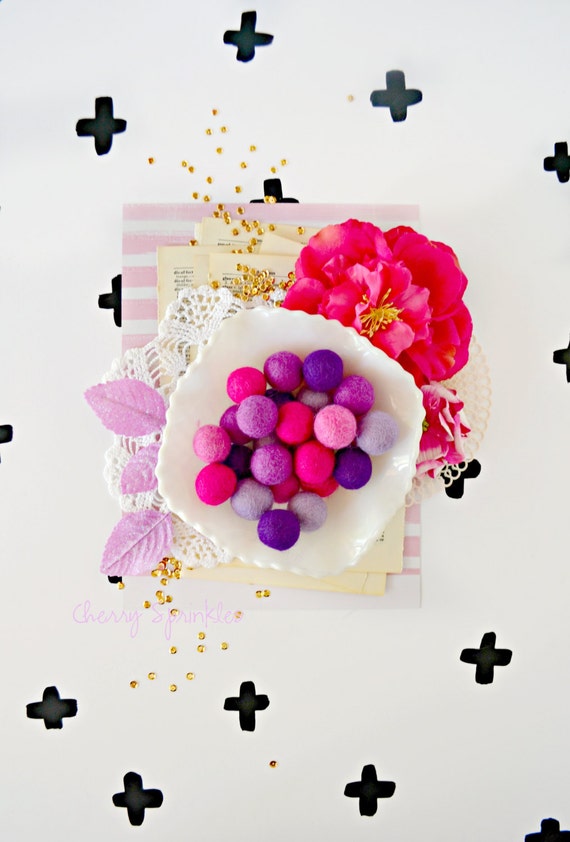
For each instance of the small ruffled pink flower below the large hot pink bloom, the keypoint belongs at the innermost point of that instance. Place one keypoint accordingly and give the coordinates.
(444, 428)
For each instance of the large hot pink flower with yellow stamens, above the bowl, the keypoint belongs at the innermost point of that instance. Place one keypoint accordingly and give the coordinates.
(399, 289)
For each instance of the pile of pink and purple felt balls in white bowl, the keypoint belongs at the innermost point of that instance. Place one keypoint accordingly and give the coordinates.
(295, 432)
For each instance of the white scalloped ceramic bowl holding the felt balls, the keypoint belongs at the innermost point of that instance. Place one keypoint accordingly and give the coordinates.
(355, 518)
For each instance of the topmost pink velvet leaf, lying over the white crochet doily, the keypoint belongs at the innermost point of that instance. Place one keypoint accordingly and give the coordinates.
(127, 407)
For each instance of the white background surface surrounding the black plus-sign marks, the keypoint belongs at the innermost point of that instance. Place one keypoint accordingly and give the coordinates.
(346, 689)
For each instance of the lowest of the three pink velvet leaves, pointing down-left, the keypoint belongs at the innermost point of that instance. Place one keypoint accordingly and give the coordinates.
(137, 543)
